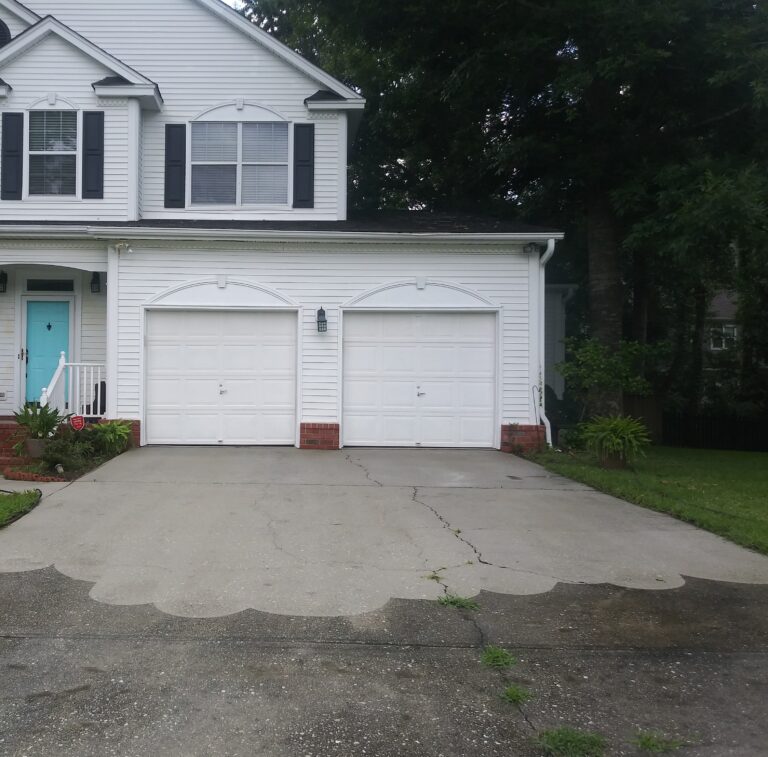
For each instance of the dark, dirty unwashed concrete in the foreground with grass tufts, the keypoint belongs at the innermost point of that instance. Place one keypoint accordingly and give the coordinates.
(81, 677)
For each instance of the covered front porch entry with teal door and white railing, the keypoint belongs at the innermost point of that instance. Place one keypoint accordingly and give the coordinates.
(53, 337)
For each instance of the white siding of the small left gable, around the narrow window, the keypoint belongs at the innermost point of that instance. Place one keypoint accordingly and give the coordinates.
(55, 67)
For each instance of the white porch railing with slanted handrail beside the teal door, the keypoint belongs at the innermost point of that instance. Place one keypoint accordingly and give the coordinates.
(77, 389)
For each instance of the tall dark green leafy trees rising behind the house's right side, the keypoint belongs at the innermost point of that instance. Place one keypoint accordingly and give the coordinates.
(630, 120)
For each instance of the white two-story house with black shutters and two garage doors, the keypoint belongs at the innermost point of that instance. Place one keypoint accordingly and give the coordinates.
(173, 220)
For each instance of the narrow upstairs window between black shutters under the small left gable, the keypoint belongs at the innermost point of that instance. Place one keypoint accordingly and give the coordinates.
(53, 152)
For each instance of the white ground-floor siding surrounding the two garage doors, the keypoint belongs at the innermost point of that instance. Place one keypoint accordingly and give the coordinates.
(315, 275)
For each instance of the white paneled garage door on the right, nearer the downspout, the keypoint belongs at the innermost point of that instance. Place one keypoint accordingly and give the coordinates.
(419, 379)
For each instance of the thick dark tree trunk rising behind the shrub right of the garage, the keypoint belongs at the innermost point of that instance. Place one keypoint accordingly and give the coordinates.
(605, 293)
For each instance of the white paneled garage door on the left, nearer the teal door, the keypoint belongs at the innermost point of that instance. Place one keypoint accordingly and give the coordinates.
(220, 377)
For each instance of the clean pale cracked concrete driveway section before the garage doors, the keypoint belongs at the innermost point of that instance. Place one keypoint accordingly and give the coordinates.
(207, 532)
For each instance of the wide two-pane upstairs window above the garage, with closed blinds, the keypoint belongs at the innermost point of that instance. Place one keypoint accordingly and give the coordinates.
(239, 163)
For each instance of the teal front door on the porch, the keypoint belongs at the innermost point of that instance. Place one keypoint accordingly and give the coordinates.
(47, 338)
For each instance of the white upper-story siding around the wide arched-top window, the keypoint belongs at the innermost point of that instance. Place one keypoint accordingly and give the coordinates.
(200, 61)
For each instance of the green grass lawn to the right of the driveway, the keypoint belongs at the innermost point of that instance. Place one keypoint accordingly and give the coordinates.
(723, 492)
